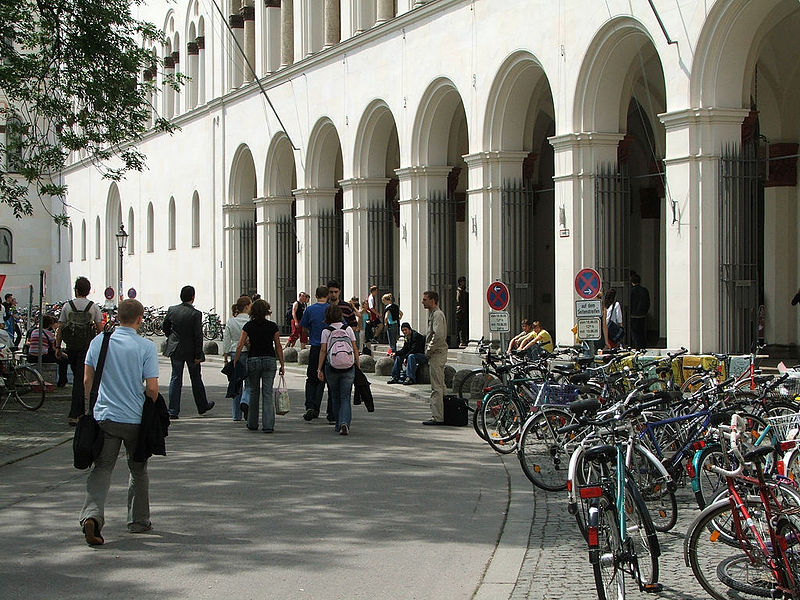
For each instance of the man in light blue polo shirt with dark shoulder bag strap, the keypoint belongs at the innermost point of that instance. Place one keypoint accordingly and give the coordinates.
(130, 360)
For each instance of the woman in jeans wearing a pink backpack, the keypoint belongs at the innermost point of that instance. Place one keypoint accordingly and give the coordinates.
(340, 381)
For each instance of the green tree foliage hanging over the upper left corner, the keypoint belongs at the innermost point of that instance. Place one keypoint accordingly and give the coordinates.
(72, 73)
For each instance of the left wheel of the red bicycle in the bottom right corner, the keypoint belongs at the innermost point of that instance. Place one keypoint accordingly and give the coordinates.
(717, 542)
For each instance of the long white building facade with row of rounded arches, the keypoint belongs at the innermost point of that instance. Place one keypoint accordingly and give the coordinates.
(521, 140)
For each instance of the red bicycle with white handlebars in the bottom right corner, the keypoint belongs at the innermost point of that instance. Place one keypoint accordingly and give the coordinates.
(748, 544)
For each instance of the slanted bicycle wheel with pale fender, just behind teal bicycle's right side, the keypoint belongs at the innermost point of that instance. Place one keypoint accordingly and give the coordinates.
(656, 489)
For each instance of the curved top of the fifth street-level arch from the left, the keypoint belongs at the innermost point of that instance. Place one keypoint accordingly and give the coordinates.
(440, 105)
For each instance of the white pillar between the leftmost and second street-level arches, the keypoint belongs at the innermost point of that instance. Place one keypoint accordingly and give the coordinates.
(268, 211)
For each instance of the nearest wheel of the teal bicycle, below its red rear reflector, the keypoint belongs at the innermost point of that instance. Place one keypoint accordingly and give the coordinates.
(609, 578)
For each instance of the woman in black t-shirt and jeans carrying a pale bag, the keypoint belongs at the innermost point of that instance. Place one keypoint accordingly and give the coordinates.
(263, 338)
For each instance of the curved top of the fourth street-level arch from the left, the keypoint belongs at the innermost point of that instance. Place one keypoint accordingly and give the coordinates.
(376, 131)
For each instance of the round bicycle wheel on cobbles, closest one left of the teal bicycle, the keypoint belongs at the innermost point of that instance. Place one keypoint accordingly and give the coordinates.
(543, 453)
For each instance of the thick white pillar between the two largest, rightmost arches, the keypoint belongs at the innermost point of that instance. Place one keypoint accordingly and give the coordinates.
(695, 138)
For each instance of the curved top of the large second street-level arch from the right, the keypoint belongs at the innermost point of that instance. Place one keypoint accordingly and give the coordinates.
(605, 74)
